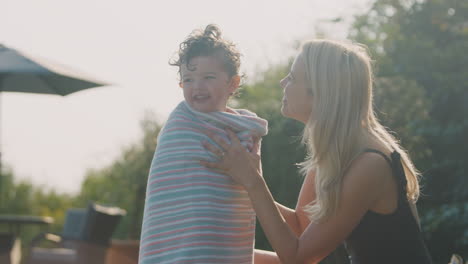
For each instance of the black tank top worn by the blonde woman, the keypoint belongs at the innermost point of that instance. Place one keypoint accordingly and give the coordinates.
(388, 238)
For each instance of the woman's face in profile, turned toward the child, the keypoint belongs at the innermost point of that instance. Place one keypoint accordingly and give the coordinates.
(297, 100)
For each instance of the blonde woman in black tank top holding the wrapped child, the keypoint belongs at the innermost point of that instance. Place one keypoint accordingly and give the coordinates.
(360, 186)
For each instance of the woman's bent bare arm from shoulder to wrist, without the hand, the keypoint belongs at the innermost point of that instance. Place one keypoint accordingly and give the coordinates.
(361, 188)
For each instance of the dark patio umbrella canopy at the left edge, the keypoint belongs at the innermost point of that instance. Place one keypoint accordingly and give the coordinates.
(26, 74)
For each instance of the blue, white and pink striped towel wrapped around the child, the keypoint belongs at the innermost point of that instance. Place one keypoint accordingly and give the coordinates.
(192, 214)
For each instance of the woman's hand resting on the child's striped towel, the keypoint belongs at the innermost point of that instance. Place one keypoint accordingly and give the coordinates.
(243, 166)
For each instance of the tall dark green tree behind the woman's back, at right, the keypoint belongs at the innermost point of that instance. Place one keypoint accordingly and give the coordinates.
(424, 43)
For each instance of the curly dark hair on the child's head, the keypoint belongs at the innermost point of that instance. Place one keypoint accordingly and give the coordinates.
(209, 43)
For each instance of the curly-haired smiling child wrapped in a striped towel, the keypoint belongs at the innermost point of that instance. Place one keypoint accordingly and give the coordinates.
(191, 213)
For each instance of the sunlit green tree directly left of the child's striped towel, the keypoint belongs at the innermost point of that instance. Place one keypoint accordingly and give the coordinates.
(123, 183)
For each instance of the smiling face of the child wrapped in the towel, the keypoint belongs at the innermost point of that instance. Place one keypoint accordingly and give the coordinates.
(206, 84)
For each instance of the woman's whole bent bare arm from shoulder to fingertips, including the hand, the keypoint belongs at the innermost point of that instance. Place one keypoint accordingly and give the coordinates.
(361, 187)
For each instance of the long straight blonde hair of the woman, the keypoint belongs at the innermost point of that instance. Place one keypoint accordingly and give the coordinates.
(342, 120)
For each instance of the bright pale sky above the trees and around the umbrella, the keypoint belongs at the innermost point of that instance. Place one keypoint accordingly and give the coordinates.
(53, 140)
